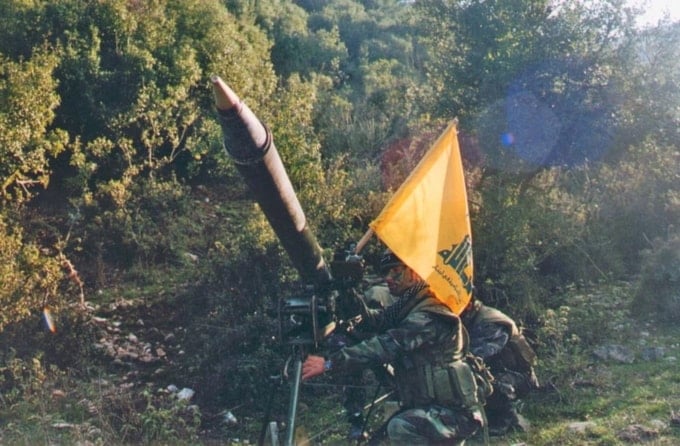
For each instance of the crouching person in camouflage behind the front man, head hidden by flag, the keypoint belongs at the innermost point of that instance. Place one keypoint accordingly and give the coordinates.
(495, 338)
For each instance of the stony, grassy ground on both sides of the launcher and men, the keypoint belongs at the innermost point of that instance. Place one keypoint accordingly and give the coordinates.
(138, 359)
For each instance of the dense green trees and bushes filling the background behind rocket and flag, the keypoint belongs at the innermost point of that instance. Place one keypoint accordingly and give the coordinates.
(118, 203)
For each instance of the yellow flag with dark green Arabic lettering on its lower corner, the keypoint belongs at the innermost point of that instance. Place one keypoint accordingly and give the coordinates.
(427, 223)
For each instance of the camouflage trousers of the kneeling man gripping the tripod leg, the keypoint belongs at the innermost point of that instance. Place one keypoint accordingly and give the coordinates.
(431, 425)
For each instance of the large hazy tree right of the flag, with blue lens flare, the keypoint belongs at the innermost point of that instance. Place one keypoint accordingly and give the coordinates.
(551, 106)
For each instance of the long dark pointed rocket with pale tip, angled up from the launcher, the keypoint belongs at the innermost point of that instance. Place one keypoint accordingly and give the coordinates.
(250, 144)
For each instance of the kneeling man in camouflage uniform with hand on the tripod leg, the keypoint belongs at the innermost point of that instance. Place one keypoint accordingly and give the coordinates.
(423, 340)
